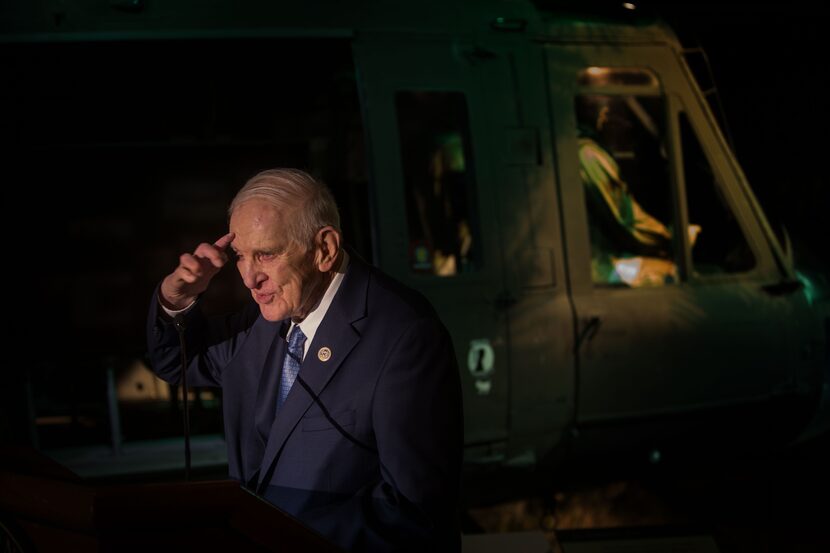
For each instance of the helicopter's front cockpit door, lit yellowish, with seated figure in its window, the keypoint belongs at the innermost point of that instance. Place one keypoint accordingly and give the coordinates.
(669, 320)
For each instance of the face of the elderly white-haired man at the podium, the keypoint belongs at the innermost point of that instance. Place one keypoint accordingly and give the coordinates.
(282, 277)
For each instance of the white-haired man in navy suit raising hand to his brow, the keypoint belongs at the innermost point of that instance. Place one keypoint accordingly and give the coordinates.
(341, 391)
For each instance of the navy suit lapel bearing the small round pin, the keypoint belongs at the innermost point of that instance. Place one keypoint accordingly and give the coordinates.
(337, 333)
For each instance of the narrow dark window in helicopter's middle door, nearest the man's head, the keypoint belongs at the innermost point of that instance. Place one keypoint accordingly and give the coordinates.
(439, 181)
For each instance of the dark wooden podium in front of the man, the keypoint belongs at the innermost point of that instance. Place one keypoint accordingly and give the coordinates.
(44, 507)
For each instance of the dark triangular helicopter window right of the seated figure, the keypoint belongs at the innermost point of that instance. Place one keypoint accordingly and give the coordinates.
(721, 246)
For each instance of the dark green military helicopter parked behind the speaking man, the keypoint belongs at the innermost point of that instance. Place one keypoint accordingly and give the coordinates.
(555, 183)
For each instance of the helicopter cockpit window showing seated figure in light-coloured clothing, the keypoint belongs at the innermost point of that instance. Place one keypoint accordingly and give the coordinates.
(623, 162)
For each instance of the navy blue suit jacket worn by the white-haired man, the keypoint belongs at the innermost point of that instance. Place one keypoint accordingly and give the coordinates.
(367, 447)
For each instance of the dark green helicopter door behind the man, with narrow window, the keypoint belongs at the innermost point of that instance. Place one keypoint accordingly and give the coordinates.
(435, 225)
